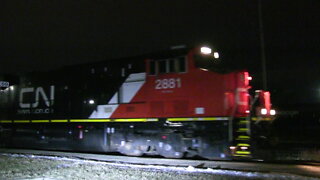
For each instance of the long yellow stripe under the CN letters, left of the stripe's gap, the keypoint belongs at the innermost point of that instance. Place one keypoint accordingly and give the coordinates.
(81, 120)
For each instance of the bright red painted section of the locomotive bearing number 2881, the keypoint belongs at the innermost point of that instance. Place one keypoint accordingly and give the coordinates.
(200, 94)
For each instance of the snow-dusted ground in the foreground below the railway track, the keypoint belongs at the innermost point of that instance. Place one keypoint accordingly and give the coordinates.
(32, 167)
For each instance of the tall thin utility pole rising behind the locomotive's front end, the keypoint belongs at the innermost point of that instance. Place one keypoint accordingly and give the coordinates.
(262, 46)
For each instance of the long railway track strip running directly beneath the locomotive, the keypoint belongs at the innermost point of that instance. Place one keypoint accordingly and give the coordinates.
(309, 170)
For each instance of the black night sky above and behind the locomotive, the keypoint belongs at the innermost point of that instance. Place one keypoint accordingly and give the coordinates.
(41, 35)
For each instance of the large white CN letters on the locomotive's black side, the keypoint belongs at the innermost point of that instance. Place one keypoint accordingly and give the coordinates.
(39, 92)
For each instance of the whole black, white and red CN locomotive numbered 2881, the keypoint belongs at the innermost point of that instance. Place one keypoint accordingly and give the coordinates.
(180, 103)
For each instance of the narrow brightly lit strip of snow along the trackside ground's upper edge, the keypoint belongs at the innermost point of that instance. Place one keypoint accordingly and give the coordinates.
(189, 169)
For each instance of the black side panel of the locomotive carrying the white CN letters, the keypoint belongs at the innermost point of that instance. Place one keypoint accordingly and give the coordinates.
(69, 93)
